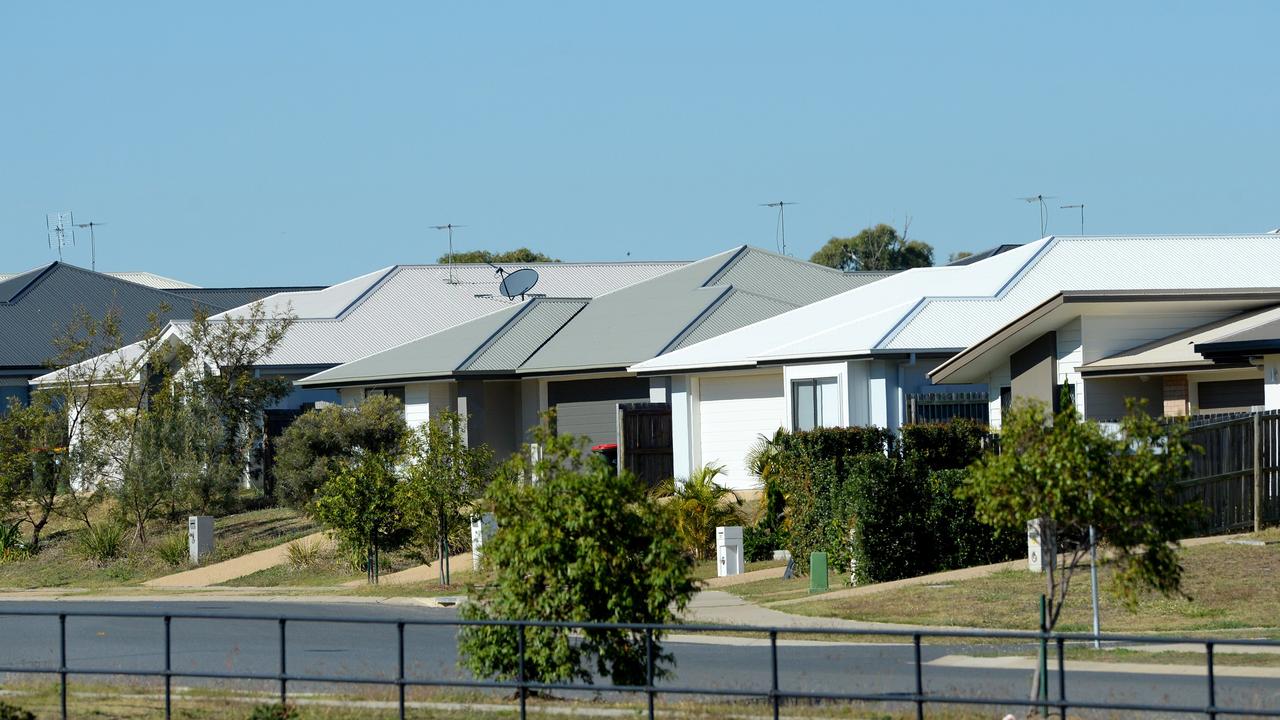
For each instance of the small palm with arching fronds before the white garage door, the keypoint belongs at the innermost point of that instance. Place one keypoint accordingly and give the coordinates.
(701, 505)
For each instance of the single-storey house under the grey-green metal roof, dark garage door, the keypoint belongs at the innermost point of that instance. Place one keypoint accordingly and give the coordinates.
(504, 370)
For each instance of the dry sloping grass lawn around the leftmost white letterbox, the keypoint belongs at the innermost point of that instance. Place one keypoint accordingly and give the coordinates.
(60, 564)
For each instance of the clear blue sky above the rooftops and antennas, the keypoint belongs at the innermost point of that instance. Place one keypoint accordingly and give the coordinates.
(307, 143)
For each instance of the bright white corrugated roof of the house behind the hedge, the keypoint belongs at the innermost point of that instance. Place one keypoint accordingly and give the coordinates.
(952, 308)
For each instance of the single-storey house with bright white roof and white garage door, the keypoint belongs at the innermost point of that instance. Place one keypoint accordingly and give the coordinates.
(866, 357)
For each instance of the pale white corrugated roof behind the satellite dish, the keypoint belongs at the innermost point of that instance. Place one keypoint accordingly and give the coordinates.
(404, 303)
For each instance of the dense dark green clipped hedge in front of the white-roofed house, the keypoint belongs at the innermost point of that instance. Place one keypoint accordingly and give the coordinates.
(886, 505)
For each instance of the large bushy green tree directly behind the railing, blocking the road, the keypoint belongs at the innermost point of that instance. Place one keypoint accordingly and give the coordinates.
(580, 545)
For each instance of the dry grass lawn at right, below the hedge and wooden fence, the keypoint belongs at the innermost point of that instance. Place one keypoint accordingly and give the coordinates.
(1232, 587)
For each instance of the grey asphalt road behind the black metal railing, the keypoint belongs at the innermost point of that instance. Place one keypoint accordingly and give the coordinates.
(322, 648)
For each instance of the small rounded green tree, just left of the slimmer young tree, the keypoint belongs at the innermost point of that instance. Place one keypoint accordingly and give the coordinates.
(363, 504)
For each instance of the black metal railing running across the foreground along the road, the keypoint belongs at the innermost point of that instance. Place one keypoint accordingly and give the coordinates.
(775, 695)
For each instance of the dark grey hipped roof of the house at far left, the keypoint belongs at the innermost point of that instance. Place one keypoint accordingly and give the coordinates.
(39, 306)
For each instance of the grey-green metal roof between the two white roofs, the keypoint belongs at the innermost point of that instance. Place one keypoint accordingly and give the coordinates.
(618, 329)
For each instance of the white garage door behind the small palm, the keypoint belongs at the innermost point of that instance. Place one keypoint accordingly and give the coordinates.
(734, 413)
